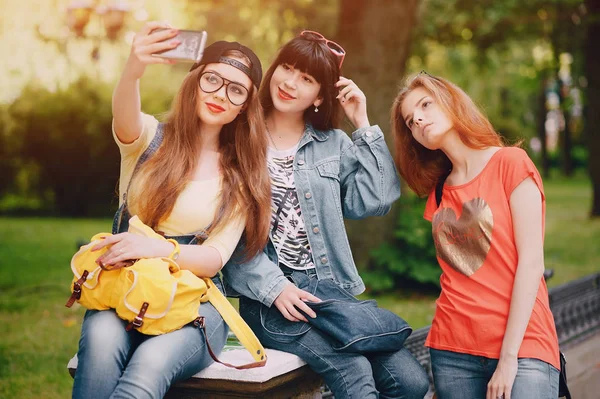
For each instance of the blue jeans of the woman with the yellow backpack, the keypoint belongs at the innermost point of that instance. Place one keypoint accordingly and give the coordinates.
(114, 363)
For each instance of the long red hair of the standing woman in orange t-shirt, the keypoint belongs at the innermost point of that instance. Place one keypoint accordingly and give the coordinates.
(420, 167)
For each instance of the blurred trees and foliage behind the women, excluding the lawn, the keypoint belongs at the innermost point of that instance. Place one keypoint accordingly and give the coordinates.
(524, 62)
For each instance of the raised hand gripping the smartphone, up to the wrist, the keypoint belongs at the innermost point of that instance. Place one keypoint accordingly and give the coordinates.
(146, 42)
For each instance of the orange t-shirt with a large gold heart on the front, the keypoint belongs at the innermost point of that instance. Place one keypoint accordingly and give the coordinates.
(476, 249)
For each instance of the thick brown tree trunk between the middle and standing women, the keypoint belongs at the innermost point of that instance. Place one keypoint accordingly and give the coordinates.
(377, 36)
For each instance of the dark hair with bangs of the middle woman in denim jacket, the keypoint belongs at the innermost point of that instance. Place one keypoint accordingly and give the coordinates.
(314, 58)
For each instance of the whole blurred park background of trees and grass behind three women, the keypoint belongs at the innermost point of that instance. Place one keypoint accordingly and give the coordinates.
(530, 64)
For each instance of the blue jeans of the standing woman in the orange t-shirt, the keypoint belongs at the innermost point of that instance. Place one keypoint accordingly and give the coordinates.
(460, 375)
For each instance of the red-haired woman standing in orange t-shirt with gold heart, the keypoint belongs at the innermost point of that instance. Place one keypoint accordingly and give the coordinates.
(493, 334)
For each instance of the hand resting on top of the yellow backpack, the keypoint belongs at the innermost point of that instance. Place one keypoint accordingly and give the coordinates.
(127, 246)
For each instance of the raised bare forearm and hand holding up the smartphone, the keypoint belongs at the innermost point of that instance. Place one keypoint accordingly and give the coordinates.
(126, 103)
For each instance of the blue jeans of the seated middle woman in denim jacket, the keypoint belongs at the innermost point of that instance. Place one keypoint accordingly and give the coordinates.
(382, 375)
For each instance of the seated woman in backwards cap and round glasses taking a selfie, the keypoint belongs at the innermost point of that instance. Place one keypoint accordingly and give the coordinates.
(204, 166)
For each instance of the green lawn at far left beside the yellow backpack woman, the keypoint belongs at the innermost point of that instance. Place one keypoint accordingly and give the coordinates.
(39, 334)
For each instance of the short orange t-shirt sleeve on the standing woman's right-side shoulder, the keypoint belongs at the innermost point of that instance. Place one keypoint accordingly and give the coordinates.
(516, 167)
